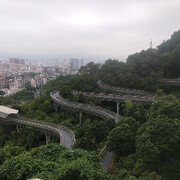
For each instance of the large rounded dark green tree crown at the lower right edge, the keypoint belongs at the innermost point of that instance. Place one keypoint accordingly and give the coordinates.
(158, 144)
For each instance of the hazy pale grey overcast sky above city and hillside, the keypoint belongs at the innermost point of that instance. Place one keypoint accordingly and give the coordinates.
(89, 29)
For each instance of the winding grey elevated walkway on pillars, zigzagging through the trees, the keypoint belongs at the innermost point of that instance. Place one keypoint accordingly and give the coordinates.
(66, 136)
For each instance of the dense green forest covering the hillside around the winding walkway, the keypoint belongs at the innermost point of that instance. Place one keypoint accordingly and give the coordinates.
(145, 143)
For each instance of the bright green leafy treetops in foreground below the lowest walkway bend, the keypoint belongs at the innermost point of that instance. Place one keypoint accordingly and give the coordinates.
(54, 162)
